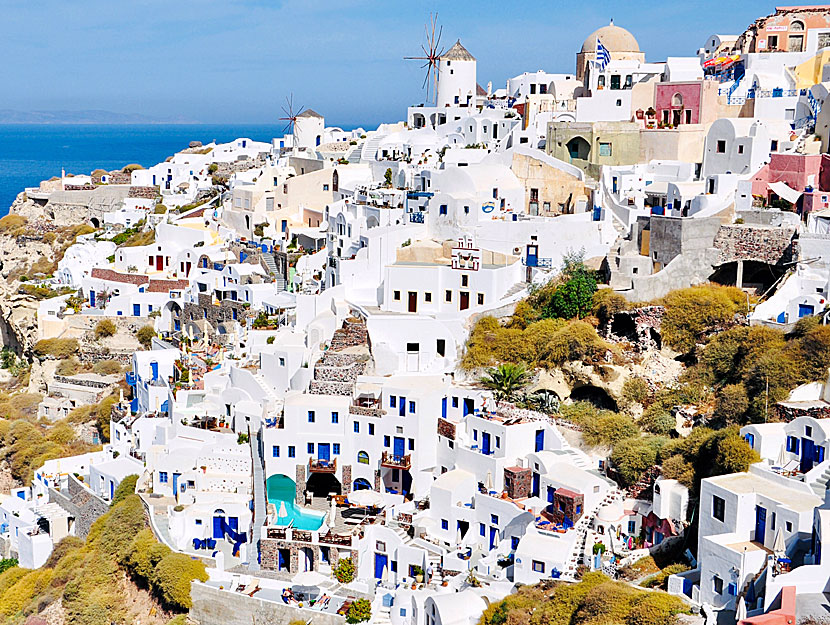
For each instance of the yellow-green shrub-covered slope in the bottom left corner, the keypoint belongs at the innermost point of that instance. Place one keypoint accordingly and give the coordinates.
(92, 579)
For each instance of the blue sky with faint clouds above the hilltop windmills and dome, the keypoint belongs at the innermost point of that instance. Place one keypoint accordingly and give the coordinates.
(235, 61)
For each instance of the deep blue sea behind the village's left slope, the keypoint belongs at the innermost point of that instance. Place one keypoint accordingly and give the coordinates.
(31, 153)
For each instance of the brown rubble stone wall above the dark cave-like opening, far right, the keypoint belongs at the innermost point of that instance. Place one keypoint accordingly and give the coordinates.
(760, 243)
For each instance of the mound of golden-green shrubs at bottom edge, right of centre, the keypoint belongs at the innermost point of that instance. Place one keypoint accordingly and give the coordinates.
(595, 600)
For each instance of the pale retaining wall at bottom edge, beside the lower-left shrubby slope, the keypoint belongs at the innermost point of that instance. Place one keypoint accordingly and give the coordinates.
(212, 606)
